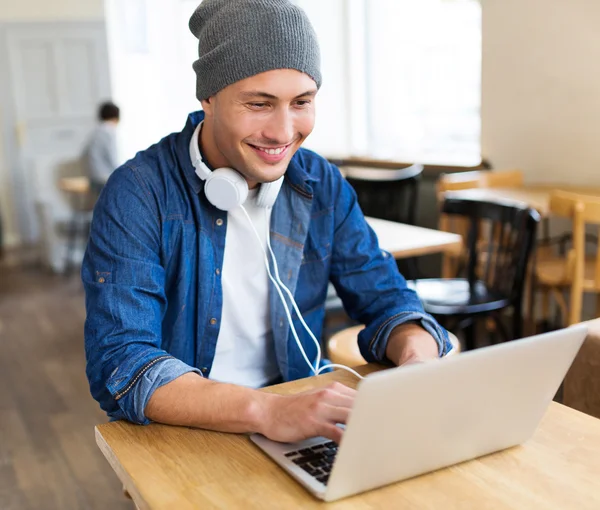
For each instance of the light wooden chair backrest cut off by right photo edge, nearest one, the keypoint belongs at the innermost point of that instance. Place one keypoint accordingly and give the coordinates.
(582, 210)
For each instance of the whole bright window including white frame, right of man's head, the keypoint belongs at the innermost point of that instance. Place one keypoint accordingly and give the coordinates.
(410, 85)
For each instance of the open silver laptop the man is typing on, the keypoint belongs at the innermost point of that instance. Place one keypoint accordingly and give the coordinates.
(416, 419)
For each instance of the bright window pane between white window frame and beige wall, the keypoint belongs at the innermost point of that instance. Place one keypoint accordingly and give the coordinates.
(423, 80)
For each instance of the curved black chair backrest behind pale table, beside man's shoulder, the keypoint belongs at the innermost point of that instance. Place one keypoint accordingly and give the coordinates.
(387, 194)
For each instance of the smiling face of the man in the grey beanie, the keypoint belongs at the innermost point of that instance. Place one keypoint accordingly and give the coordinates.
(257, 124)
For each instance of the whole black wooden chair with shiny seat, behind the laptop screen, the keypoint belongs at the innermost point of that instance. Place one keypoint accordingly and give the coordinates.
(496, 269)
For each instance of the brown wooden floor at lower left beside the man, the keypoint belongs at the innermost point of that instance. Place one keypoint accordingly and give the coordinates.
(48, 456)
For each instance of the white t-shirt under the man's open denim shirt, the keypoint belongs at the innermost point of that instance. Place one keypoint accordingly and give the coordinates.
(245, 353)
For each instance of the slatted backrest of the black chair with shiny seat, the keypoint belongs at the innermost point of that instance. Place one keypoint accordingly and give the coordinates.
(508, 232)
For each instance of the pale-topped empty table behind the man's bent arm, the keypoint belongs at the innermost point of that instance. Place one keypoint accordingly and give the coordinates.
(404, 241)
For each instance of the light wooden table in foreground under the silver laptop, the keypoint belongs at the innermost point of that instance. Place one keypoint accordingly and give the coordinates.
(165, 467)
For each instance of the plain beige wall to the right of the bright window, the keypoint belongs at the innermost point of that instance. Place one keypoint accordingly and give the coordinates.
(541, 88)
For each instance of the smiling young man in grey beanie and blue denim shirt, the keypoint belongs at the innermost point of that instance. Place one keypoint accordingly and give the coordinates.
(183, 322)
